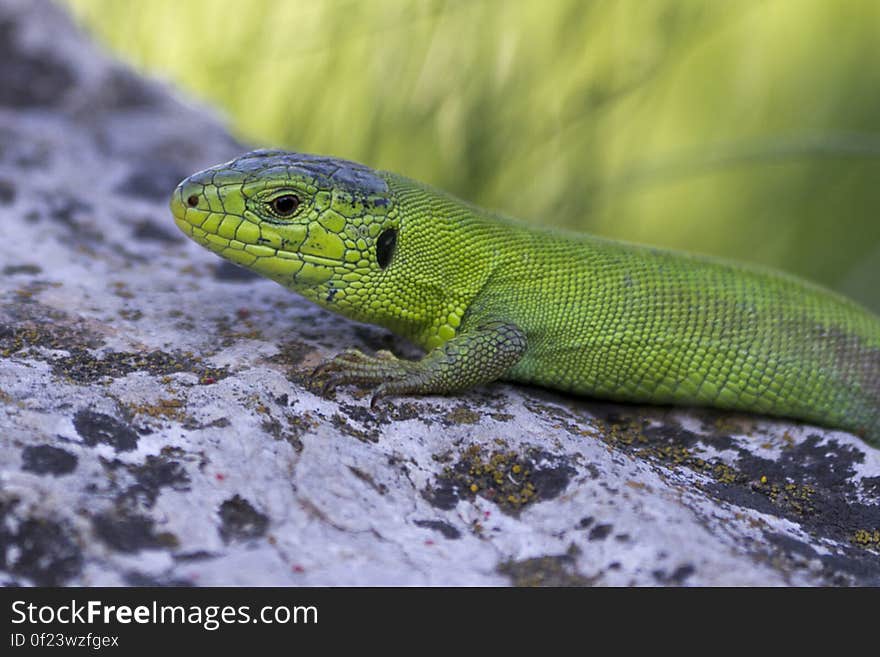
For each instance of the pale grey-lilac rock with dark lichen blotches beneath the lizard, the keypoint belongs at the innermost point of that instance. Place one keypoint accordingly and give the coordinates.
(158, 424)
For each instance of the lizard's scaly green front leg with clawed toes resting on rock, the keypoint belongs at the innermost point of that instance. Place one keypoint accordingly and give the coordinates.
(474, 356)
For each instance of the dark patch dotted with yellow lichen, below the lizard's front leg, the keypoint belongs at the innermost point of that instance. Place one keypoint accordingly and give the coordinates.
(510, 479)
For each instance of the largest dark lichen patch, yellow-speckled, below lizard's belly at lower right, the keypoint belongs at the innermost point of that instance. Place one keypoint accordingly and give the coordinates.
(813, 483)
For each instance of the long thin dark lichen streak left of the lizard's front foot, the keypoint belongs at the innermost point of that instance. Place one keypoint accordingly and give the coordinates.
(82, 366)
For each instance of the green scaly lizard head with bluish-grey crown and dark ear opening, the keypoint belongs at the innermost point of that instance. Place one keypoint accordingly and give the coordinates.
(321, 226)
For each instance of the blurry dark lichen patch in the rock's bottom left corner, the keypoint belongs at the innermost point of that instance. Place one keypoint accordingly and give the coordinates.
(43, 550)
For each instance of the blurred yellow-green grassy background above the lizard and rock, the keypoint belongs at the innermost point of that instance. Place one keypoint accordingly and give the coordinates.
(743, 128)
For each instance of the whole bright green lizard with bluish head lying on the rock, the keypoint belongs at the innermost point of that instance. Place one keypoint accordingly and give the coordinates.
(490, 298)
